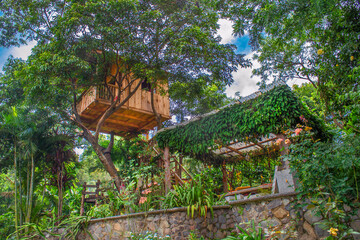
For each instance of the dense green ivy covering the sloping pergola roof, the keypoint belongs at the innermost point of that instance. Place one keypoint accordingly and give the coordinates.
(274, 111)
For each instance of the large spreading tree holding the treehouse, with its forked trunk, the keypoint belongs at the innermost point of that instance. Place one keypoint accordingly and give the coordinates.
(160, 41)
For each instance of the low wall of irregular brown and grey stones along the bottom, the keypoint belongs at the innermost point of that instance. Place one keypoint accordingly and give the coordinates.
(272, 212)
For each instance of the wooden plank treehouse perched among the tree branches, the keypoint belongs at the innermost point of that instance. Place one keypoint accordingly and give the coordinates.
(136, 115)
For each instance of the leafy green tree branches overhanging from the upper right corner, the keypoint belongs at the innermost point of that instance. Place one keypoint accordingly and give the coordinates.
(322, 48)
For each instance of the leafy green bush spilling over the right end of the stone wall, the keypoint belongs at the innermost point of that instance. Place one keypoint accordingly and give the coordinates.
(328, 174)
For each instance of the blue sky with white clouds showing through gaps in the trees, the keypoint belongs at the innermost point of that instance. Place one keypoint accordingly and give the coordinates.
(243, 81)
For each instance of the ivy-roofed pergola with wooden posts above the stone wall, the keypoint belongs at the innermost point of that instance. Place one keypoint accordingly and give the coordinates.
(252, 123)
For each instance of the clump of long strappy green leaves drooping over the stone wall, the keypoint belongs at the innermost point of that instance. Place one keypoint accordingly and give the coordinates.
(194, 196)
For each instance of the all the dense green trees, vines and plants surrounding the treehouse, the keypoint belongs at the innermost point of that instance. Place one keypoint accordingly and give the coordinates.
(176, 41)
